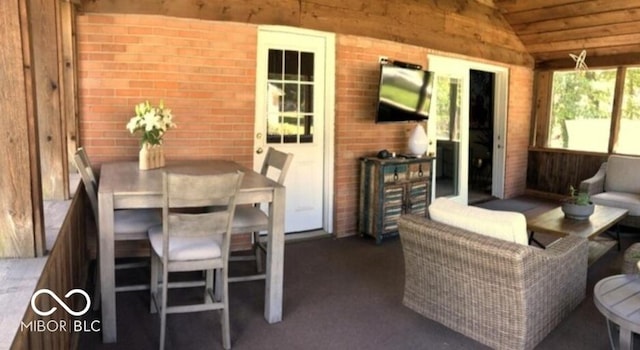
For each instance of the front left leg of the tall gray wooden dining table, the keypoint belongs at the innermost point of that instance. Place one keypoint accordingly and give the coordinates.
(106, 263)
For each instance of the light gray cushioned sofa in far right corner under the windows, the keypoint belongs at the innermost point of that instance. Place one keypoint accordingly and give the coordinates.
(616, 185)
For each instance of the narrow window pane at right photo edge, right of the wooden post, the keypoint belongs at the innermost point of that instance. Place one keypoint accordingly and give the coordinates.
(628, 140)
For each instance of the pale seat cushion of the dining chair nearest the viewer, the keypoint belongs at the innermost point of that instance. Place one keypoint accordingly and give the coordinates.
(184, 248)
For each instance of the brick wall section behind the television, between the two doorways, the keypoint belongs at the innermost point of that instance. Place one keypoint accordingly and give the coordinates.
(357, 74)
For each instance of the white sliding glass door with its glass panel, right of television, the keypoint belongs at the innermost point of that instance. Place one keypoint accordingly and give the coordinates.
(448, 126)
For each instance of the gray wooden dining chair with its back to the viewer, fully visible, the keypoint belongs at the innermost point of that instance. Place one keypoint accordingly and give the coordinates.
(192, 238)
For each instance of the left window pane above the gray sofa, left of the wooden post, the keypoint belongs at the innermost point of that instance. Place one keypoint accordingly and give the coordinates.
(581, 107)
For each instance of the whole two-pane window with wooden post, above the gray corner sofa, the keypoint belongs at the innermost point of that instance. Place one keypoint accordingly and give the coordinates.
(582, 115)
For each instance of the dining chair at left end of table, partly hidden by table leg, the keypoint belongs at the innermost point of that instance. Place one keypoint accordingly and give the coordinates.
(128, 225)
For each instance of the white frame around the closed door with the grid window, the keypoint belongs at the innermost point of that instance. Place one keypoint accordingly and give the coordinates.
(329, 111)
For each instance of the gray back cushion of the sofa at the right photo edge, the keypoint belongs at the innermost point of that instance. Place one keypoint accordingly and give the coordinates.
(622, 174)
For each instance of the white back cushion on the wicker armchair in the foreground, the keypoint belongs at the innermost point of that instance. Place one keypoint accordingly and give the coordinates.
(510, 226)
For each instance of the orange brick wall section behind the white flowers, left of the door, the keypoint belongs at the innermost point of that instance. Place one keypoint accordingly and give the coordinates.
(203, 70)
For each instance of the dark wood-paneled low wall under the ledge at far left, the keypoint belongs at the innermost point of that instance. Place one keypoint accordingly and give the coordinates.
(66, 268)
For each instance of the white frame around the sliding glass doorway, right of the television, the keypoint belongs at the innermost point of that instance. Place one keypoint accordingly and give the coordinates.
(501, 90)
